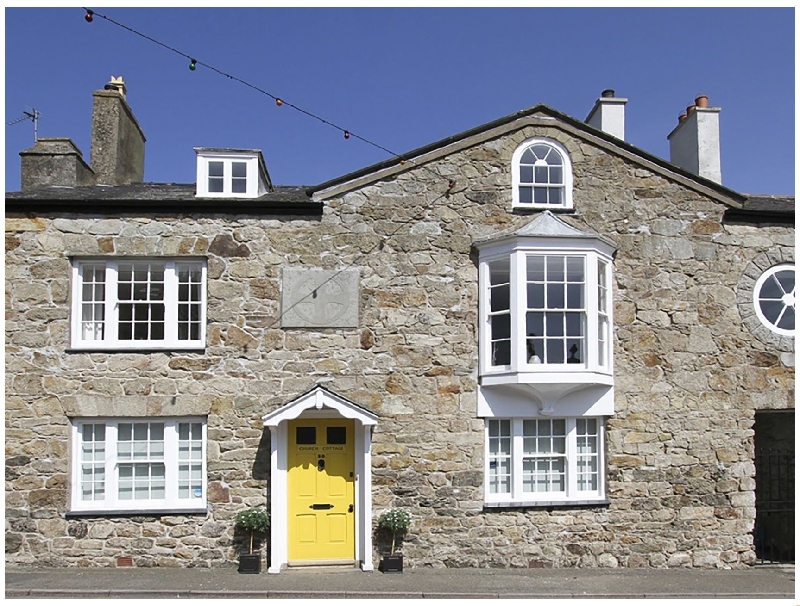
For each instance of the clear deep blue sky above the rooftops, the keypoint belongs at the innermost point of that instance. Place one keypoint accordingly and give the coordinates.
(400, 78)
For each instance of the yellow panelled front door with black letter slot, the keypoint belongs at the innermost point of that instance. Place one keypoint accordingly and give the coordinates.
(321, 490)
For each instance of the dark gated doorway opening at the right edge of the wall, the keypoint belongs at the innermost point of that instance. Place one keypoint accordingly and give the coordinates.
(774, 445)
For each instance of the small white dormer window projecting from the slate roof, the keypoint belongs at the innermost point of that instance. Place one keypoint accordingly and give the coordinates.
(228, 173)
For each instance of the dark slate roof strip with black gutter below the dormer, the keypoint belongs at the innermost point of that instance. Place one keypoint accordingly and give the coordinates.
(158, 197)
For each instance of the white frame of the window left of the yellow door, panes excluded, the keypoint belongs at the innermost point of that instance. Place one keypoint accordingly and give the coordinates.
(108, 461)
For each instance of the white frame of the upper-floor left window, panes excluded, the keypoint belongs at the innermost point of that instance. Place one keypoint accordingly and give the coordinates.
(109, 312)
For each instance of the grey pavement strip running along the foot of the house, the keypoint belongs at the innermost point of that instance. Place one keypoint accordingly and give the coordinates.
(758, 582)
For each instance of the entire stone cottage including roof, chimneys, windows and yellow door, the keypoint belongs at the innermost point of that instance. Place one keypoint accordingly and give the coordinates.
(551, 347)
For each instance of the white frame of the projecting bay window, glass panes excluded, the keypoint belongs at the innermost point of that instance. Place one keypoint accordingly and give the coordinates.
(597, 367)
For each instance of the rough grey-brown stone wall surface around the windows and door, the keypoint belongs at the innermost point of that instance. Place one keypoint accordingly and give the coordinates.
(689, 375)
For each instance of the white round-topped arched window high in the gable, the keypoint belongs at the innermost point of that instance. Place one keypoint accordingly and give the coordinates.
(542, 175)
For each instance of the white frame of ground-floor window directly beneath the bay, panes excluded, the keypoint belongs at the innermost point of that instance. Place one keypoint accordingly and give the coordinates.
(516, 496)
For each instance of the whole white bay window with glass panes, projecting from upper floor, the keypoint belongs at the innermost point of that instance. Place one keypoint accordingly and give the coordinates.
(546, 311)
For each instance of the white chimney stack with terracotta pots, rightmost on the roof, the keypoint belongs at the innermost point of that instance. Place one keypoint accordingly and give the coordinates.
(694, 143)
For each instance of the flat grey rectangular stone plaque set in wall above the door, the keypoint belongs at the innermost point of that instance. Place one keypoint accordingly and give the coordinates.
(319, 298)
